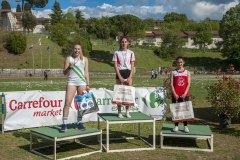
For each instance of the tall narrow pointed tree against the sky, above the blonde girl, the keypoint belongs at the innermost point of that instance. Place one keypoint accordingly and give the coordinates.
(57, 14)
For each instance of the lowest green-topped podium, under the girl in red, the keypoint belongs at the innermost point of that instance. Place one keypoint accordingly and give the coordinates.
(197, 132)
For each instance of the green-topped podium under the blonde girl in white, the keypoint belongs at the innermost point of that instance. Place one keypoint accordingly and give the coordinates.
(52, 134)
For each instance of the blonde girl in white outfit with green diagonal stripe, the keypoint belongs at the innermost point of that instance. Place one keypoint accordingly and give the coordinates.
(76, 67)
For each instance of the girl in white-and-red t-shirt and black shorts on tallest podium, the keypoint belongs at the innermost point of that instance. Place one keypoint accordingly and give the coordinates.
(124, 67)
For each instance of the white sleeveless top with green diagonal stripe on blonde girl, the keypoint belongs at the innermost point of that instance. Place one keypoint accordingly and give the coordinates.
(73, 78)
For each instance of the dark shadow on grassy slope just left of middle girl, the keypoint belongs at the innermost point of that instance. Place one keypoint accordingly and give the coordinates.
(102, 56)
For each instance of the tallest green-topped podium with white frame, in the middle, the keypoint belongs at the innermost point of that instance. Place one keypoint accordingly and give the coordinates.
(136, 117)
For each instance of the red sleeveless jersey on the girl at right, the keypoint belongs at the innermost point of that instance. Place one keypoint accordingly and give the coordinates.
(180, 82)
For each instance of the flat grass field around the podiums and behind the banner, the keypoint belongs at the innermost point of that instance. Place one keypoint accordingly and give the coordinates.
(15, 144)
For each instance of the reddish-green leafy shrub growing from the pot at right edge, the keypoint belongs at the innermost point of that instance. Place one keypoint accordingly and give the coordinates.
(224, 96)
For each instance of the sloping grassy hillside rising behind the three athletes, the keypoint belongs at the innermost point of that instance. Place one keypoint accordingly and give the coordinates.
(100, 59)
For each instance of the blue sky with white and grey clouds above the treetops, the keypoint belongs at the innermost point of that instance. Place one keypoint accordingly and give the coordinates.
(194, 9)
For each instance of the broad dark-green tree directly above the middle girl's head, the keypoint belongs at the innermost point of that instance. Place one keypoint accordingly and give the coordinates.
(127, 23)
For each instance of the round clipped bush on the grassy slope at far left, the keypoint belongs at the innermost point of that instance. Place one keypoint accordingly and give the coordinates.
(16, 43)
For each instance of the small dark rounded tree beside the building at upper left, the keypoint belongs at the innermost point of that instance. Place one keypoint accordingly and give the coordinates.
(28, 21)
